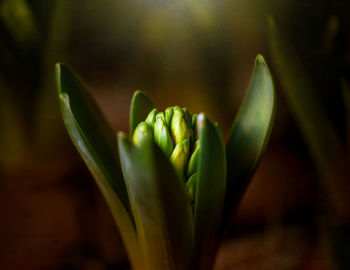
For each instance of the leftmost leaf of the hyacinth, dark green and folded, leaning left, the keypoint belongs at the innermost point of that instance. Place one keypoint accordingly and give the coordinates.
(96, 143)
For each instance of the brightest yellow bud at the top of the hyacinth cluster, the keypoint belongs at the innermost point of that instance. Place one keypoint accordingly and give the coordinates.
(180, 127)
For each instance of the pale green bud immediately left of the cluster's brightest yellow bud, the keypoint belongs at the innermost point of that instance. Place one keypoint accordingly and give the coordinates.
(162, 135)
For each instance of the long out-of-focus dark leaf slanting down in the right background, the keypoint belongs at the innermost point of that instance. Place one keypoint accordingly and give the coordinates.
(325, 146)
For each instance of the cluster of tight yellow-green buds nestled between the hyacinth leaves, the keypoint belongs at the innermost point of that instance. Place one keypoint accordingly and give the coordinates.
(174, 131)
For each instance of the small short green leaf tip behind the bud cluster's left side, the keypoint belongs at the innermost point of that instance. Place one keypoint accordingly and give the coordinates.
(140, 107)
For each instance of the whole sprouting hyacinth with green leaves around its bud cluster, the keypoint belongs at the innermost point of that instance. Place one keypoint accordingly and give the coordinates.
(175, 185)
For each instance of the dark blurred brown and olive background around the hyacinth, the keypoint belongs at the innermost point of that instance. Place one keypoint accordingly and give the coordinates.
(197, 54)
